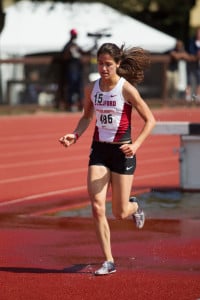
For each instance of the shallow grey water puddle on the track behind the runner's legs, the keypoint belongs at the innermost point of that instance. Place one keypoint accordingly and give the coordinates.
(156, 204)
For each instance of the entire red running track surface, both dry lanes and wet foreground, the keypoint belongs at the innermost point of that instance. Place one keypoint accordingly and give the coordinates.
(48, 257)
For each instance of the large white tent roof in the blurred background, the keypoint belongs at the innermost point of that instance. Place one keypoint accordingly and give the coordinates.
(32, 27)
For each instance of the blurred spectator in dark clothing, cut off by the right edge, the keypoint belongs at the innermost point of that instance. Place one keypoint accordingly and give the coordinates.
(193, 88)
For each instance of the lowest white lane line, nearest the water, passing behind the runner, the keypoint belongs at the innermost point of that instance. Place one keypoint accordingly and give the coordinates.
(74, 189)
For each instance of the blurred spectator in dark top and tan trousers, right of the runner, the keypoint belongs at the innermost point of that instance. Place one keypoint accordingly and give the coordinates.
(177, 71)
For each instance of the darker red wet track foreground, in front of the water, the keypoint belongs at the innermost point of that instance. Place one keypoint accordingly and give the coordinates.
(55, 259)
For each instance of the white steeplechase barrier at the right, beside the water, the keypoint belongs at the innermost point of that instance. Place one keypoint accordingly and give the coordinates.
(189, 151)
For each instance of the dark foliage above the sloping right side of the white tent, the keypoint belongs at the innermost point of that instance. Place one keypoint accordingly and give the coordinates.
(171, 17)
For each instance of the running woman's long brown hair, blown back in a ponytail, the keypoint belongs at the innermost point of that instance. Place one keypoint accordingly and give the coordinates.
(133, 61)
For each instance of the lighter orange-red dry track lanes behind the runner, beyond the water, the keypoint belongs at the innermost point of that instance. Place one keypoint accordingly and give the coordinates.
(34, 167)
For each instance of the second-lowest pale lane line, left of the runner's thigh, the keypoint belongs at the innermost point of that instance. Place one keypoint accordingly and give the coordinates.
(44, 175)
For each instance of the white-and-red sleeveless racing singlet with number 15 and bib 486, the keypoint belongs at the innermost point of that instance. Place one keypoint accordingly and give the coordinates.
(113, 114)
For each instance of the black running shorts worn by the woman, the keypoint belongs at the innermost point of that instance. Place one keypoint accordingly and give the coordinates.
(112, 157)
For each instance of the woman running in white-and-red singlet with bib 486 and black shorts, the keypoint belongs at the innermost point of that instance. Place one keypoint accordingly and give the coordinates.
(112, 160)
